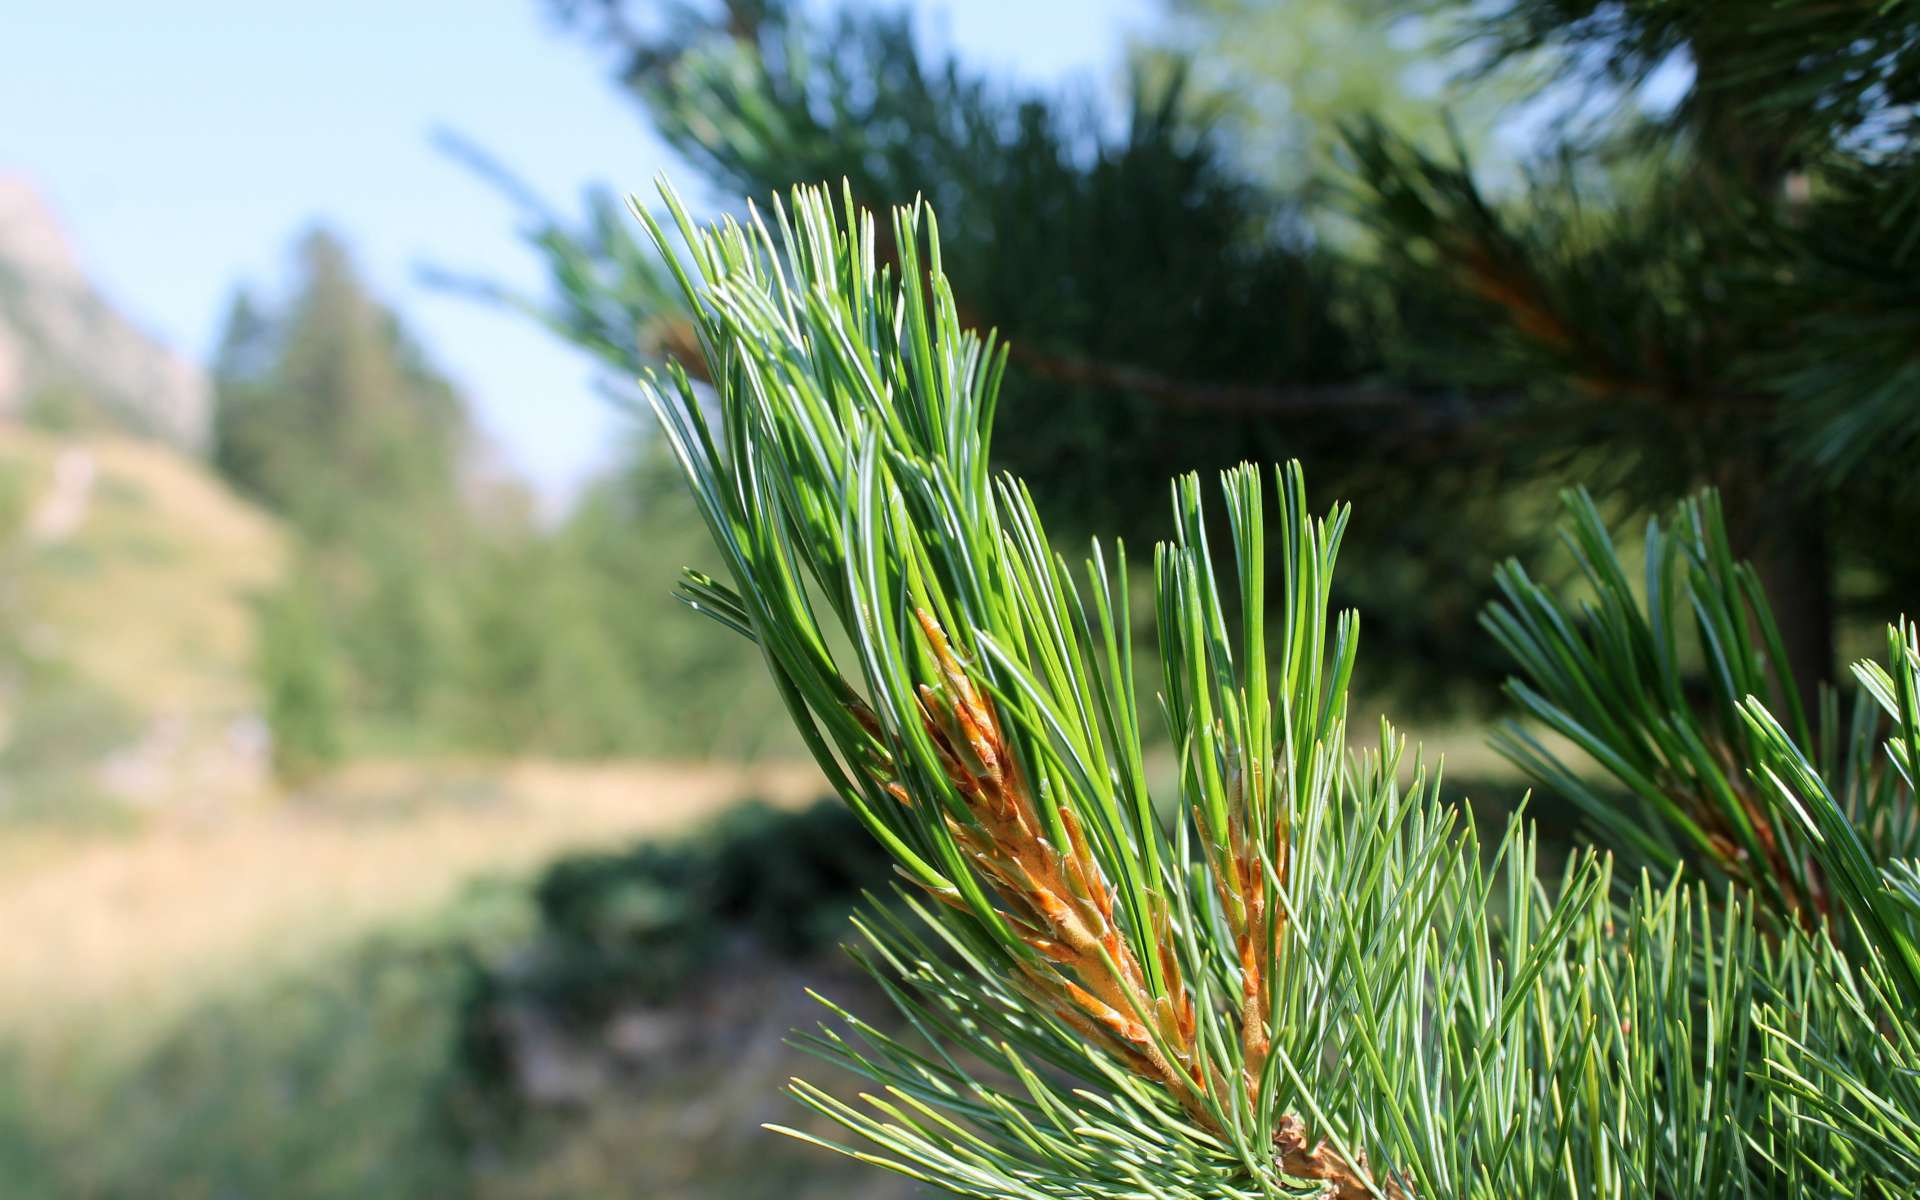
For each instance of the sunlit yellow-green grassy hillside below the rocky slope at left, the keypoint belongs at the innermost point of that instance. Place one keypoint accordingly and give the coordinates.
(126, 627)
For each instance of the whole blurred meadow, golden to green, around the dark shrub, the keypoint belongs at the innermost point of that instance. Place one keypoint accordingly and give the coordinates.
(266, 1001)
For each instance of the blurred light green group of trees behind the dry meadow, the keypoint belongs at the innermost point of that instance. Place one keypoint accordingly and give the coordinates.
(435, 610)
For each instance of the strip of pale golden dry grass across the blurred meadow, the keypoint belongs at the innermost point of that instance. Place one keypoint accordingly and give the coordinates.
(107, 924)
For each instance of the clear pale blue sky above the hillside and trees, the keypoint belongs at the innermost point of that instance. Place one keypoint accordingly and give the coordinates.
(185, 143)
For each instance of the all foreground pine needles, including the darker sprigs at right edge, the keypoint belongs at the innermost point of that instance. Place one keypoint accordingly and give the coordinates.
(1297, 971)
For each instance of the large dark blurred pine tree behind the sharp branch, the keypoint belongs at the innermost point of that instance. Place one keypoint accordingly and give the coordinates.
(1650, 312)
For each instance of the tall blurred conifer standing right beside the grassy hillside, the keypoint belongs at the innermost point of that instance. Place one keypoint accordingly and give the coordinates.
(331, 416)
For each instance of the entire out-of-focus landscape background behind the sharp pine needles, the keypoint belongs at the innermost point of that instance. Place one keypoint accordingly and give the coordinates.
(372, 819)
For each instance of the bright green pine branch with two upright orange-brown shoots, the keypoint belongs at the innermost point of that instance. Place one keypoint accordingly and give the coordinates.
(1295, 971)
